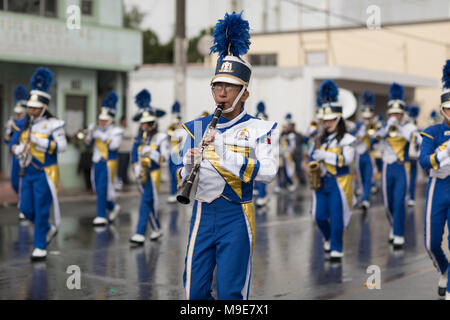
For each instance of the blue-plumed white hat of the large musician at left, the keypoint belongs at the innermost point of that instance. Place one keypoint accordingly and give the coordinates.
(40, 84)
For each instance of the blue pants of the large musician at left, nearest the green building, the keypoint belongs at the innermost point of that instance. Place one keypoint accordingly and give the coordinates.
(35, 202)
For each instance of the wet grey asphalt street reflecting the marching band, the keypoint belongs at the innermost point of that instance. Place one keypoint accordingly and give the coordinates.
(289, 262)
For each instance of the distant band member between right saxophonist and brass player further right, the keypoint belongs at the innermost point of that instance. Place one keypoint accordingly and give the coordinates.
(365, 131)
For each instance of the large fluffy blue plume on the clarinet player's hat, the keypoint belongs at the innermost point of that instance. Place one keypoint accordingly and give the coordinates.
(231, 36)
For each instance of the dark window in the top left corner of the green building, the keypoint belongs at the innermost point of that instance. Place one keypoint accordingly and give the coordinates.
(46, 8)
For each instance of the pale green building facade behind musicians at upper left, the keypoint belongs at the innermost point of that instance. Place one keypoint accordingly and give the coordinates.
(87, 62)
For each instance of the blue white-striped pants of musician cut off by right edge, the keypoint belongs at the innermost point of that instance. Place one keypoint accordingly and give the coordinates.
(437, 213)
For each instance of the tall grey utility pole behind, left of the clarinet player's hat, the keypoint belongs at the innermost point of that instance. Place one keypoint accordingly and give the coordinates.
(180, 55)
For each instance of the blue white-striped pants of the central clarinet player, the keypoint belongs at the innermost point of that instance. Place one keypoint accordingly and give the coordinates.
(220, 234)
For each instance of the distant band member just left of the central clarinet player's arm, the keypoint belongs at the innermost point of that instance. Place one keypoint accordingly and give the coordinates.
(177, 136)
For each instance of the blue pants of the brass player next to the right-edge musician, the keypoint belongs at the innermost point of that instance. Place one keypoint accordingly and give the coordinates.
(395, 183)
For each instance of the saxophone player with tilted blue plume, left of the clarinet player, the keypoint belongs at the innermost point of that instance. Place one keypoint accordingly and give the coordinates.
(148, 149)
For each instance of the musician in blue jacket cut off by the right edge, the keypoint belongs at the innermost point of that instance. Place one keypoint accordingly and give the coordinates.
(435, 158)
